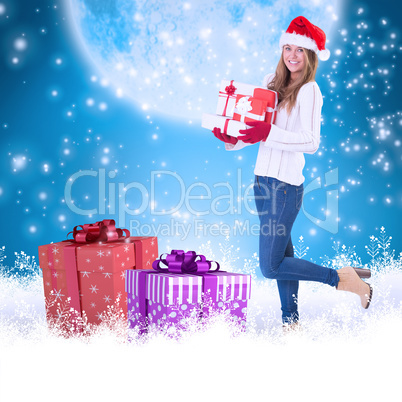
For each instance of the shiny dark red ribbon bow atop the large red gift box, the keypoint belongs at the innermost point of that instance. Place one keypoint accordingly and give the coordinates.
(102, 231)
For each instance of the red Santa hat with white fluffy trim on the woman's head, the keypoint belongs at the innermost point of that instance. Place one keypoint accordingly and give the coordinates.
(303, 33)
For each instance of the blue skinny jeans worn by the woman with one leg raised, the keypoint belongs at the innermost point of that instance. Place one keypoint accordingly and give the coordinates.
(278, 204)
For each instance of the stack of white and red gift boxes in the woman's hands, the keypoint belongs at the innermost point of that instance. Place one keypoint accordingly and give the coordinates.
(240, 103)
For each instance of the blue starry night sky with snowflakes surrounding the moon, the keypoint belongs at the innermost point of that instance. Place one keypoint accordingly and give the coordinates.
(49, 131)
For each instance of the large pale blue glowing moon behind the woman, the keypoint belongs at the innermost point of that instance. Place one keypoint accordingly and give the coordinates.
(170, 56)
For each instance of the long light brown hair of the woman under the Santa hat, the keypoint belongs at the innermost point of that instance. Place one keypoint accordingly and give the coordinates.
(287, 91)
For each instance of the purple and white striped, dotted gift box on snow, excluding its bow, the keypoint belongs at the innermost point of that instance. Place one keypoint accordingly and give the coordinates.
(164, 298)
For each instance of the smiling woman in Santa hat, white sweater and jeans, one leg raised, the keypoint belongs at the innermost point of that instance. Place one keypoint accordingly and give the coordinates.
(278, 186)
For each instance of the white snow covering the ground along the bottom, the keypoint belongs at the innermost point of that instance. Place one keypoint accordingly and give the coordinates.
(343, 352)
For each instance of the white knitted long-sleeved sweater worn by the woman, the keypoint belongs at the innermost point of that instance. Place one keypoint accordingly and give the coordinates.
(281, 155)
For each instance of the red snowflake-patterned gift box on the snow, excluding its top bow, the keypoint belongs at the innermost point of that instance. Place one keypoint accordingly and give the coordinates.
(84, 279)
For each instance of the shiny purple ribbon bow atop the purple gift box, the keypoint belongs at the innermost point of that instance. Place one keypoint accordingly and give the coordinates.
(180, 262)
